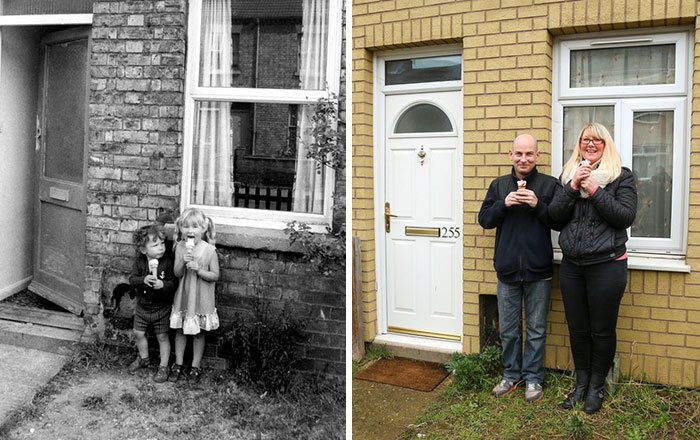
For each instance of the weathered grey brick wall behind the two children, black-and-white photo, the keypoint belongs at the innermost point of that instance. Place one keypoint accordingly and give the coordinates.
(134, 175)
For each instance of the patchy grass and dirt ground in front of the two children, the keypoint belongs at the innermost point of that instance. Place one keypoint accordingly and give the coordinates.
(114, 405)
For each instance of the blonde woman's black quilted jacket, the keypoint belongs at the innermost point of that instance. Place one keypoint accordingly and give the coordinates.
(595, 228)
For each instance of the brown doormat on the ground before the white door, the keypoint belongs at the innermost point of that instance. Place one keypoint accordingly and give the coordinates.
(406, 373)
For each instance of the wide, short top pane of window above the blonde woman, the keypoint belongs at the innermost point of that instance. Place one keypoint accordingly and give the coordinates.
(623, 66)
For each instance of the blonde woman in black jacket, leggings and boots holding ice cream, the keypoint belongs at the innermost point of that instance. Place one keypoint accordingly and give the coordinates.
(595, 204)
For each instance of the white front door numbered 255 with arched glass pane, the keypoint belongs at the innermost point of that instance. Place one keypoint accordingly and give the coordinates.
(422, 218)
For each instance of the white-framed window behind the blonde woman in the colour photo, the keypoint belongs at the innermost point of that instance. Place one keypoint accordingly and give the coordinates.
(637, 86)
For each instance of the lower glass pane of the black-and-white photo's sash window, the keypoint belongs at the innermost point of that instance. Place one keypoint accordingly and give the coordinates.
(254, 156)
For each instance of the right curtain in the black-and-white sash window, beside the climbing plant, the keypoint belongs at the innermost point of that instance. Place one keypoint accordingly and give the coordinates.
(309, 180)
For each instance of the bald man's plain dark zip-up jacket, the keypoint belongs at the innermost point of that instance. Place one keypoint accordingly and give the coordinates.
(523, 240)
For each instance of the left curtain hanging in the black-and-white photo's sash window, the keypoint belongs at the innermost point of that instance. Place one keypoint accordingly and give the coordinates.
(213, 162)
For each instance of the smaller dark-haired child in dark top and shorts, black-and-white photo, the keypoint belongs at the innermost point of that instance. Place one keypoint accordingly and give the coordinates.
(155, 283)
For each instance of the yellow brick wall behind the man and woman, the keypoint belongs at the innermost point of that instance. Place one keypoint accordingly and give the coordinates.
(507, 49)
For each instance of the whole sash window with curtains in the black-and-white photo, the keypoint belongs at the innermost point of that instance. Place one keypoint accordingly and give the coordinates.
(256, 71)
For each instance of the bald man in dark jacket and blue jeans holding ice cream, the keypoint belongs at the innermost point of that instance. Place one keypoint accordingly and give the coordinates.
(516, 205)
